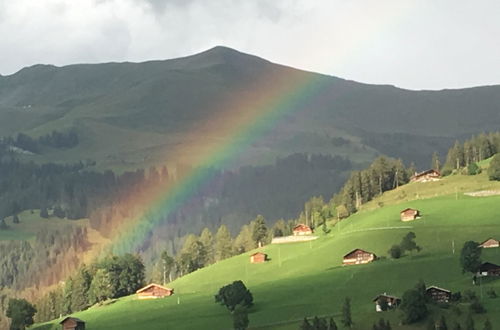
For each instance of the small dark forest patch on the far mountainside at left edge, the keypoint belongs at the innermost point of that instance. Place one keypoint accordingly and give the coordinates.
(54, 139)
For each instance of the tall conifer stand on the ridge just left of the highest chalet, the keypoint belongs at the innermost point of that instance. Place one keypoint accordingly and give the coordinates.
(382, 175)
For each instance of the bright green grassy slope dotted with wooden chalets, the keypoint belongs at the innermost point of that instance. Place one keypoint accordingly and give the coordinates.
(307, 279)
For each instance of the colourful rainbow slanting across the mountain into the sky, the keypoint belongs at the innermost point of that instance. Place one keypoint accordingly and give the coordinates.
(242, 120)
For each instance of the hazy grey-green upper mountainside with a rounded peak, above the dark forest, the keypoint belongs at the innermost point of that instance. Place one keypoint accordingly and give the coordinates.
(130, 115)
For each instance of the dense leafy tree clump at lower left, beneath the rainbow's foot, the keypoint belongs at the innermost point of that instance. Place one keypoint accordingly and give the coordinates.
(111, 277)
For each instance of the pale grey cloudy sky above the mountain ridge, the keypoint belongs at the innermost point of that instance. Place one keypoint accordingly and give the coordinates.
(417, 44)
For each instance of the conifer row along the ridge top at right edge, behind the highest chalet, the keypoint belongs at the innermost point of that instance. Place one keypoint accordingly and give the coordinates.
(477, 148)
